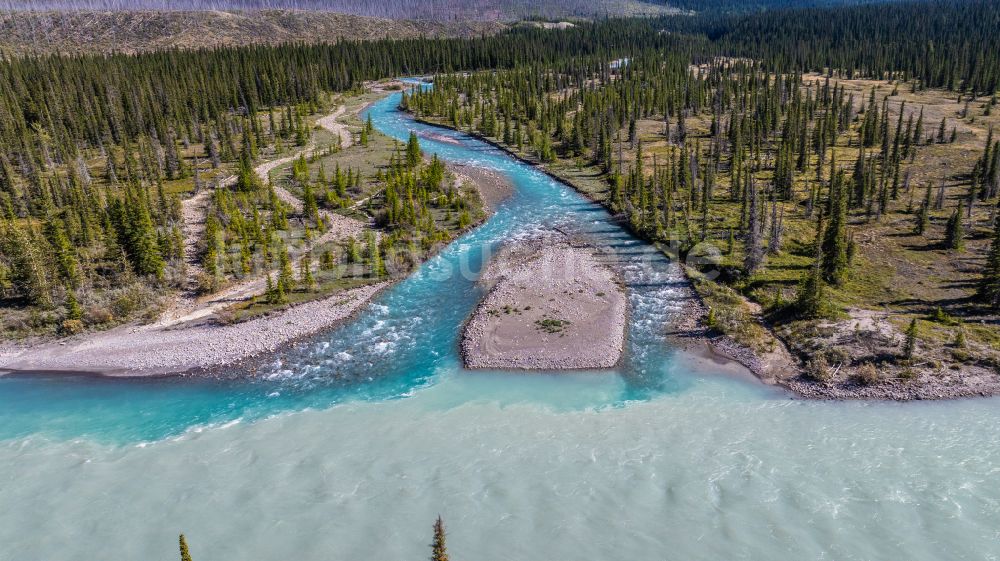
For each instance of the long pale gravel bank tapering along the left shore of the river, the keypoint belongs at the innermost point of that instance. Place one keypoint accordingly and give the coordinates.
(150, 350)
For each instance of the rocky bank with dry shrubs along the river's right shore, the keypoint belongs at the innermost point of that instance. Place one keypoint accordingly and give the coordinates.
(859, 359)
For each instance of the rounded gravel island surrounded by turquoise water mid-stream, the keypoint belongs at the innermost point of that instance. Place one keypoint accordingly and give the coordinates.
(553, 305)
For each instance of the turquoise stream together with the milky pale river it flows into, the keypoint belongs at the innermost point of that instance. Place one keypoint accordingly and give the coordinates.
(351, 443)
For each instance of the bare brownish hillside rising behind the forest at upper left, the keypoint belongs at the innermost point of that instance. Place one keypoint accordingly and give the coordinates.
(133, 31)
